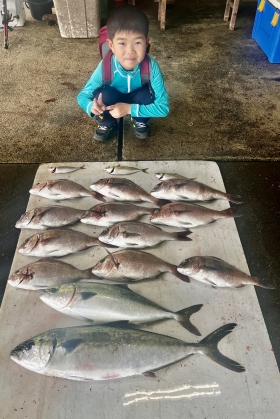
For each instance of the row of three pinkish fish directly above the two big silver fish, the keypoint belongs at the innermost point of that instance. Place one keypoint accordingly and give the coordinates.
(128, 266)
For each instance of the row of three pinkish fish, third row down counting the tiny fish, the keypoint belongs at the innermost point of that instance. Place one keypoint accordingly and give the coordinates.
(184, 215)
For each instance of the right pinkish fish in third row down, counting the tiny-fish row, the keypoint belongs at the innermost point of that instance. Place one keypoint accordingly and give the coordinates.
(189, 215)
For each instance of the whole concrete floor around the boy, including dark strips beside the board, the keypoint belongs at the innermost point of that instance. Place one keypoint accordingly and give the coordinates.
(224, 107)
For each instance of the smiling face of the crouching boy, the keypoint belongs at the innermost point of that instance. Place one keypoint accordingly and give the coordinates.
(129, 48)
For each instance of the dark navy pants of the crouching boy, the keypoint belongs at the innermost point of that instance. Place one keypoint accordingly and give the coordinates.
(111, 96)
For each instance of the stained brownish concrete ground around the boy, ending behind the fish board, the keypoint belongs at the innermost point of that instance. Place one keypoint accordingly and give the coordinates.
(224, 93)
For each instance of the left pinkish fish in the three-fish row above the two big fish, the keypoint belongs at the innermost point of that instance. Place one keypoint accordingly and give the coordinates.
(45, 273)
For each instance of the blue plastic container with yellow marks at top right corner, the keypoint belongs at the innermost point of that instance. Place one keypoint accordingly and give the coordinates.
(266, 30)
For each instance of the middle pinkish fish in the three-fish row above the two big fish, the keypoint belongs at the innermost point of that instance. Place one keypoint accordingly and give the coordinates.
(133, 265)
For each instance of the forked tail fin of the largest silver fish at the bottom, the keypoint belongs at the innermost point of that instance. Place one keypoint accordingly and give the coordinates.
(211, 342)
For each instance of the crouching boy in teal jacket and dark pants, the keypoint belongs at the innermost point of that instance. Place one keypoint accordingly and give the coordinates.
(128, 30)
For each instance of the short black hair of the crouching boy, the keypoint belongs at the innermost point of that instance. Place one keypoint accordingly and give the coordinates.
(127, 19)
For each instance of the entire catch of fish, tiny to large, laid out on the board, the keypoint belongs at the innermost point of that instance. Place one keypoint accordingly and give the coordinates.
(105, 352)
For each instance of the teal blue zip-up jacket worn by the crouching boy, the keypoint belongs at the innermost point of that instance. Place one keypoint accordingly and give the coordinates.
(127, 81)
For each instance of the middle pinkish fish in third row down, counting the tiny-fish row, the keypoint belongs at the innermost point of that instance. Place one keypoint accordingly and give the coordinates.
(109, 213)
